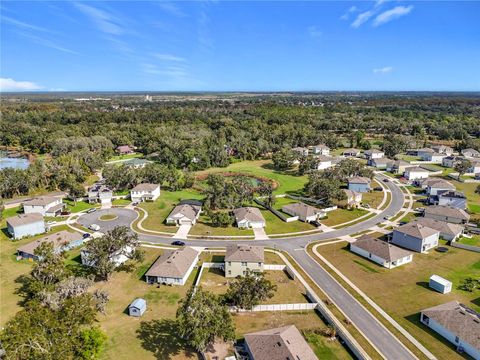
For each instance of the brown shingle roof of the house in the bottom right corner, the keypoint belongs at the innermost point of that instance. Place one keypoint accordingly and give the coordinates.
(458, 319)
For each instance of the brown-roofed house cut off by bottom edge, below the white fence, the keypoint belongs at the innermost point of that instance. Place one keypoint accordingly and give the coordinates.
(280, 343)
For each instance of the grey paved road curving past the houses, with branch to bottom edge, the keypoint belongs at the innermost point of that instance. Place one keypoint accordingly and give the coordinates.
(382, 339)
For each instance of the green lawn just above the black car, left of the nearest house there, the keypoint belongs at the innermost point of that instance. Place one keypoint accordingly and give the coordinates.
(158, 210)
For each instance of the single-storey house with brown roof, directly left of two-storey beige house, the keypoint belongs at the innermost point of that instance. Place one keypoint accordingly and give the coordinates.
(173, 267)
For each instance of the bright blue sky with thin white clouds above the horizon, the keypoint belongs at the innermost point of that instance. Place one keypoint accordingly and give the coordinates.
(239, 46)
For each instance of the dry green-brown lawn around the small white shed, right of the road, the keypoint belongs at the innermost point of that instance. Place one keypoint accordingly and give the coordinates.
(403, 292)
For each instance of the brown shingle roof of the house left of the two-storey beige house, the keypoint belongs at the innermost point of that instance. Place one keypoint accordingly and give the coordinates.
(173, 263)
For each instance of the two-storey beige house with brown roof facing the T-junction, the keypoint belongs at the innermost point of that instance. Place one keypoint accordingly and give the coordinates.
(240, 259)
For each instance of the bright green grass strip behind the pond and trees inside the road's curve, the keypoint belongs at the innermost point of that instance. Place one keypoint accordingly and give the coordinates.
(287, 181)
